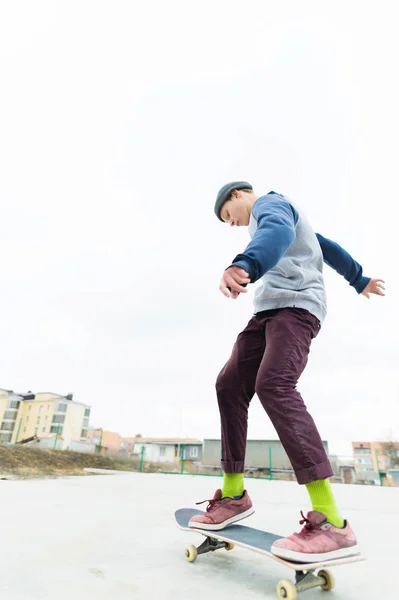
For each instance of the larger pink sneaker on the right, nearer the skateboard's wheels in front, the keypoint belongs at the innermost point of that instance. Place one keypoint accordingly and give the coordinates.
(319, 540)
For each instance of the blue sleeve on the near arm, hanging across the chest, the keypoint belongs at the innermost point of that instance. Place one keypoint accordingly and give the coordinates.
(275, 233)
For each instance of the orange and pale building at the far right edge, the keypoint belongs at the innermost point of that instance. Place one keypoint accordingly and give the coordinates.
(374, 458)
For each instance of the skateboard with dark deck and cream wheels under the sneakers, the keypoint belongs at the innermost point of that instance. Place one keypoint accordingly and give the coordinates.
(261, 541)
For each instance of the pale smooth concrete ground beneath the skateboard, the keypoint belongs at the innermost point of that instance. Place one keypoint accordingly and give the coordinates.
(114, 537)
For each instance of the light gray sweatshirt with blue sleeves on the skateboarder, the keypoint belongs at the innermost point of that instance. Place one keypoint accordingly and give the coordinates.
(286, 257)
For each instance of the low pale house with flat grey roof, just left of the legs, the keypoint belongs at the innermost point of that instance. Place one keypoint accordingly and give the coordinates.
(168, 450)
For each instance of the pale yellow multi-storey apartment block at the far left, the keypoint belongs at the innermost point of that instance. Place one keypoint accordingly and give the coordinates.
(40, 414)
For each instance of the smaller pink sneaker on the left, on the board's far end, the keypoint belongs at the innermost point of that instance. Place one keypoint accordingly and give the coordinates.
(222, 512)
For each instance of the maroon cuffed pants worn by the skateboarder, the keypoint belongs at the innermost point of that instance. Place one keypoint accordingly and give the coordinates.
(268, 358)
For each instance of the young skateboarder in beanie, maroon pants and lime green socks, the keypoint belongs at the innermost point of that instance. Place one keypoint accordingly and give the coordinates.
(269, 356)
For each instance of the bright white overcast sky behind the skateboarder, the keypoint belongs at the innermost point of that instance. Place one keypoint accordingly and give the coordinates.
(119, 121)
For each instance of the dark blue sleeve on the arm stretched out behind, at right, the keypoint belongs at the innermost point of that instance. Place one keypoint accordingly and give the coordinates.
(342, 262)
